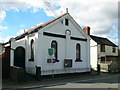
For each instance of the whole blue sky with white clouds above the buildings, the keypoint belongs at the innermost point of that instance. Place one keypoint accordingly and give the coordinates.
(100, 15)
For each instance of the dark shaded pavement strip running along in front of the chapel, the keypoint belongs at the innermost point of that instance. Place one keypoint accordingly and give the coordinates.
(9, 84)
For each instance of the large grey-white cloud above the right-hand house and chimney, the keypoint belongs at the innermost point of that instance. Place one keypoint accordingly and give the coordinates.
(98, 15)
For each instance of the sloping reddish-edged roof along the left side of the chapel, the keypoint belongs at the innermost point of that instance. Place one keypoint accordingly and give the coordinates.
(38, 27)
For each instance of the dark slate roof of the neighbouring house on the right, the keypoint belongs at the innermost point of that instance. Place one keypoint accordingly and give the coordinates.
(101, 40)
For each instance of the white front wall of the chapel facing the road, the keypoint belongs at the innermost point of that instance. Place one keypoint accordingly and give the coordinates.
(45, 43)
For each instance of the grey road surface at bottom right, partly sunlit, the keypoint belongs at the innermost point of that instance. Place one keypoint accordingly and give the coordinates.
(92, 82)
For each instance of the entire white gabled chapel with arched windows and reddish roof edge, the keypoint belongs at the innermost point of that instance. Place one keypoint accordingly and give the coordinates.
(57, 46)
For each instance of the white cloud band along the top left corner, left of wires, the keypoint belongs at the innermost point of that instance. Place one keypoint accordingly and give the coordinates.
(21, 4)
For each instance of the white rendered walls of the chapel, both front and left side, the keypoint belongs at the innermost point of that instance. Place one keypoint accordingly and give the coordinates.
(66, 49)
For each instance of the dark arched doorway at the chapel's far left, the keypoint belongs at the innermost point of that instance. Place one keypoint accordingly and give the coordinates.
(19, 57)
